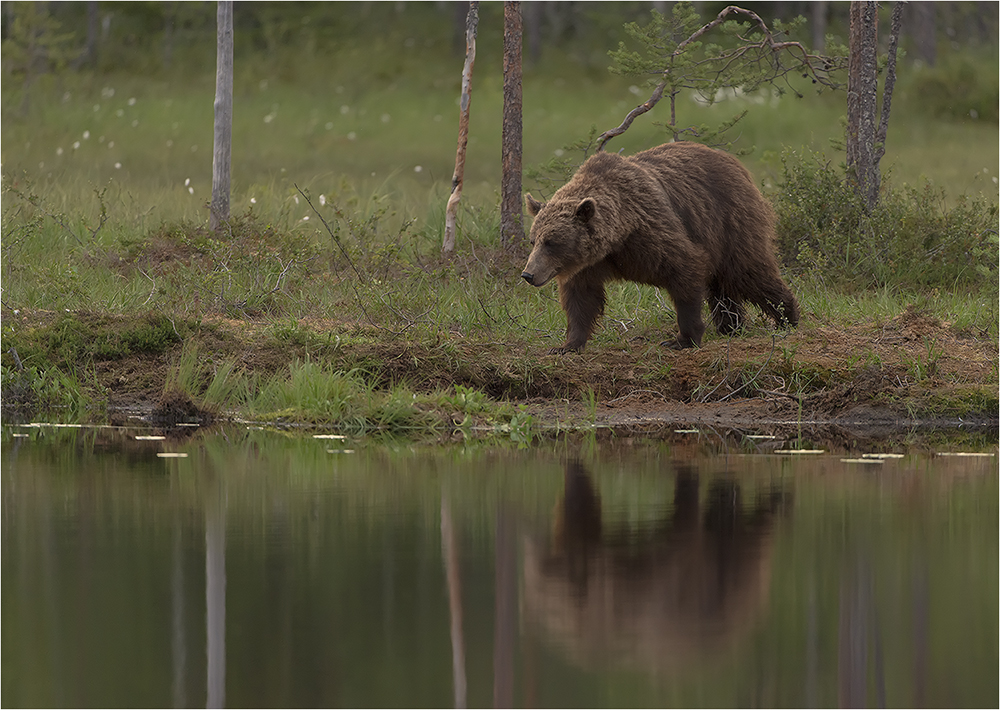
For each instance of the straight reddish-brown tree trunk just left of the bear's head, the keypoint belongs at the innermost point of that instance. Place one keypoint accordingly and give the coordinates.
(511, 216)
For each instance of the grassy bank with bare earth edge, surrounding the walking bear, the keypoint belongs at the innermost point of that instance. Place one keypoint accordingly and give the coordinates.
(326, 300)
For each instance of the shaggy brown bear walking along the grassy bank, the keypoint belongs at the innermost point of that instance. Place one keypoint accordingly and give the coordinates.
(681, 216)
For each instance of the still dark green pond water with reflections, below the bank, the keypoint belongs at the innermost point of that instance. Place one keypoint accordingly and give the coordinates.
(263, 569)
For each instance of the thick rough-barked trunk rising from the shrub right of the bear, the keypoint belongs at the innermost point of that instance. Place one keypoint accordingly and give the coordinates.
(862, 94)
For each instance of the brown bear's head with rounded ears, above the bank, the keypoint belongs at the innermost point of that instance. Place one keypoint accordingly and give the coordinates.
(561, 238)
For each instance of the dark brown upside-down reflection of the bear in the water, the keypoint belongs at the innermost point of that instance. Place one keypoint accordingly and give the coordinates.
(686, 589)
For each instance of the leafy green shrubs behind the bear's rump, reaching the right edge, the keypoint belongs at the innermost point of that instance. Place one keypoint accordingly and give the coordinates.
(911, 239)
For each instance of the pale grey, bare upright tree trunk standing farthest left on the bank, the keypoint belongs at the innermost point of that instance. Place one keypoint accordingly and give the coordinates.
(222, 152)
